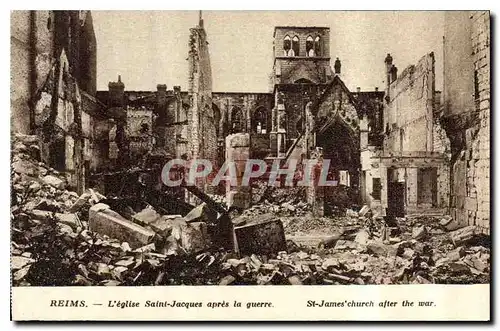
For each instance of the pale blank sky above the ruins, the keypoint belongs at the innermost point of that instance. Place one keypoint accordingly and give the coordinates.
(151, 47)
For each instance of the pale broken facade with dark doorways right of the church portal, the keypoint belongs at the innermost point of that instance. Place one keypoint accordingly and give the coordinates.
(406, 174)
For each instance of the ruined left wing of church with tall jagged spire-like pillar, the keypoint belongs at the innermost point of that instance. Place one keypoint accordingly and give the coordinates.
(181, 124)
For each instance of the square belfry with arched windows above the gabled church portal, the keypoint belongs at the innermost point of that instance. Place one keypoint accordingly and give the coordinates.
(317, 117)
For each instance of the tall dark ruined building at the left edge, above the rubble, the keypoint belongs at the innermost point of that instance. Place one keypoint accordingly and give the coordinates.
(53, 87)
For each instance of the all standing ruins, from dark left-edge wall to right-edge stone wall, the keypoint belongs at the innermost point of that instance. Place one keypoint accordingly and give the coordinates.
(403, 148)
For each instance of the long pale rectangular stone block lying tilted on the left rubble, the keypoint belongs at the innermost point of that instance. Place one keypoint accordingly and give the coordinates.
(105, 221)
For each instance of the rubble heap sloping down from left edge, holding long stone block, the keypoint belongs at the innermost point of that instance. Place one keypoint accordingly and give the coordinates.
(61, 238)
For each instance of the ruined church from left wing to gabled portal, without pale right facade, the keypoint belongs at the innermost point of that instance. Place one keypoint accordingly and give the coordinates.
(276, 122)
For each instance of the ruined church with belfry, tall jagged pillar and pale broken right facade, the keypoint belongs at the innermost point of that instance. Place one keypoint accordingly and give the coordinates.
(310, 109)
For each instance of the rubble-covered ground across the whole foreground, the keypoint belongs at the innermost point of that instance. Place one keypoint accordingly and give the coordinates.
(52, 244)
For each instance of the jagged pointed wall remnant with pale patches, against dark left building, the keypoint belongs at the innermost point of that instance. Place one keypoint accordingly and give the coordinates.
(65, 122)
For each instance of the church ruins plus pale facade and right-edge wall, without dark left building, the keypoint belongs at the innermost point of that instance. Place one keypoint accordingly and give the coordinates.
(406, 148)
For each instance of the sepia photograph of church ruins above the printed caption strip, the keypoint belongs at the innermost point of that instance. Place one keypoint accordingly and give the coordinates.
(158, 148)
